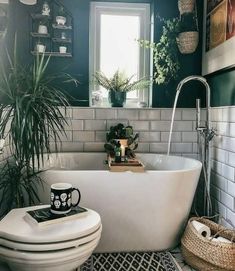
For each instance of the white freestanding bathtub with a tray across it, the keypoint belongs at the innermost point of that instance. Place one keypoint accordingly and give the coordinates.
(139, 211)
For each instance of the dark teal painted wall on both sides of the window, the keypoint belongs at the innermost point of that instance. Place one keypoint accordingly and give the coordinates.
(79, 64)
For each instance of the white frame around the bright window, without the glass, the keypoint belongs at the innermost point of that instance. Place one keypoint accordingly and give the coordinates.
(139, 9)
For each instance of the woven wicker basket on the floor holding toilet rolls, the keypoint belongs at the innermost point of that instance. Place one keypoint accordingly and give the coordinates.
(202, 253)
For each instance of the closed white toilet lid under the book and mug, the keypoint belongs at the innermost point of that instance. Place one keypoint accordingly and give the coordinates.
(15, 228)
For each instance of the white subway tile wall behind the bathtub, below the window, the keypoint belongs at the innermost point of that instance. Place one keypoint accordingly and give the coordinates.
(88, 127)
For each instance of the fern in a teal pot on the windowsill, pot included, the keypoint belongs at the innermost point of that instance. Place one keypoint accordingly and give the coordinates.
(118, 85)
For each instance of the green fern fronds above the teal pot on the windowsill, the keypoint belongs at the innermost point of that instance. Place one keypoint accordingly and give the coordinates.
(120, 82)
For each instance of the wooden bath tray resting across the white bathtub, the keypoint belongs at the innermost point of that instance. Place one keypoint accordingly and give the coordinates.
(130, 165)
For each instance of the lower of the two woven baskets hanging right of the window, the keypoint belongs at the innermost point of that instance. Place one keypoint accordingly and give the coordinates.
(188, 42)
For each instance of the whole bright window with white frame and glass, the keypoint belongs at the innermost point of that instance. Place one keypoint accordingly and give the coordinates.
(114, 31)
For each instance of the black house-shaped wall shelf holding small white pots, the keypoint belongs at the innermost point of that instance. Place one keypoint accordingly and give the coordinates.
(54, 33)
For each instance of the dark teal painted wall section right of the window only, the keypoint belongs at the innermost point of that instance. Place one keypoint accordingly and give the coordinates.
(163, 96)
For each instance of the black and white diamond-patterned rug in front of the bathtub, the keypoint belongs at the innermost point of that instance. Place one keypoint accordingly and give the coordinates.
(131, 261)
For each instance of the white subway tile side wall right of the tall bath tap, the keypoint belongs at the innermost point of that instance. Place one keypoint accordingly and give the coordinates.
(223, 164)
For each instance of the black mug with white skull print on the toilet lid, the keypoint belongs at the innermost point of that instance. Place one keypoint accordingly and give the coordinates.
(61, 198)
